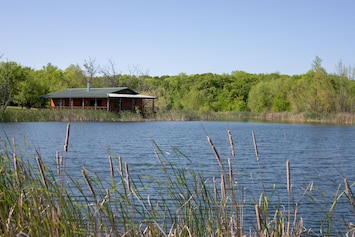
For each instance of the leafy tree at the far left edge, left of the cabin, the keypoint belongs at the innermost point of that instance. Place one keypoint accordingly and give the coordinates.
(10, 75)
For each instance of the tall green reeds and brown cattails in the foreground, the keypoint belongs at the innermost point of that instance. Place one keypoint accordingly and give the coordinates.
(39, 201)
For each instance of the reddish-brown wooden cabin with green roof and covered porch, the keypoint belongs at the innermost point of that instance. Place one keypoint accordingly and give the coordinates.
(115, 99)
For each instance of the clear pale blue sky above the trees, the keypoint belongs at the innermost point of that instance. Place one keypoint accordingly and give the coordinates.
(166, 37)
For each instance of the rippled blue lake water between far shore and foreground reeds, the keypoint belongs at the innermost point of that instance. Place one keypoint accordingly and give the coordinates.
(319, 155)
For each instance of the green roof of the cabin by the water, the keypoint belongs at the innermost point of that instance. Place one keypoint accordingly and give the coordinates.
(91, 93)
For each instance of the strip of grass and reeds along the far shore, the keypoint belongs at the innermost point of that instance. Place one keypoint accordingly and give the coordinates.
(14, 114)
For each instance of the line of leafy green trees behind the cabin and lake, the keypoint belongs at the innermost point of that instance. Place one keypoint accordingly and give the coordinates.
(314, 91)
